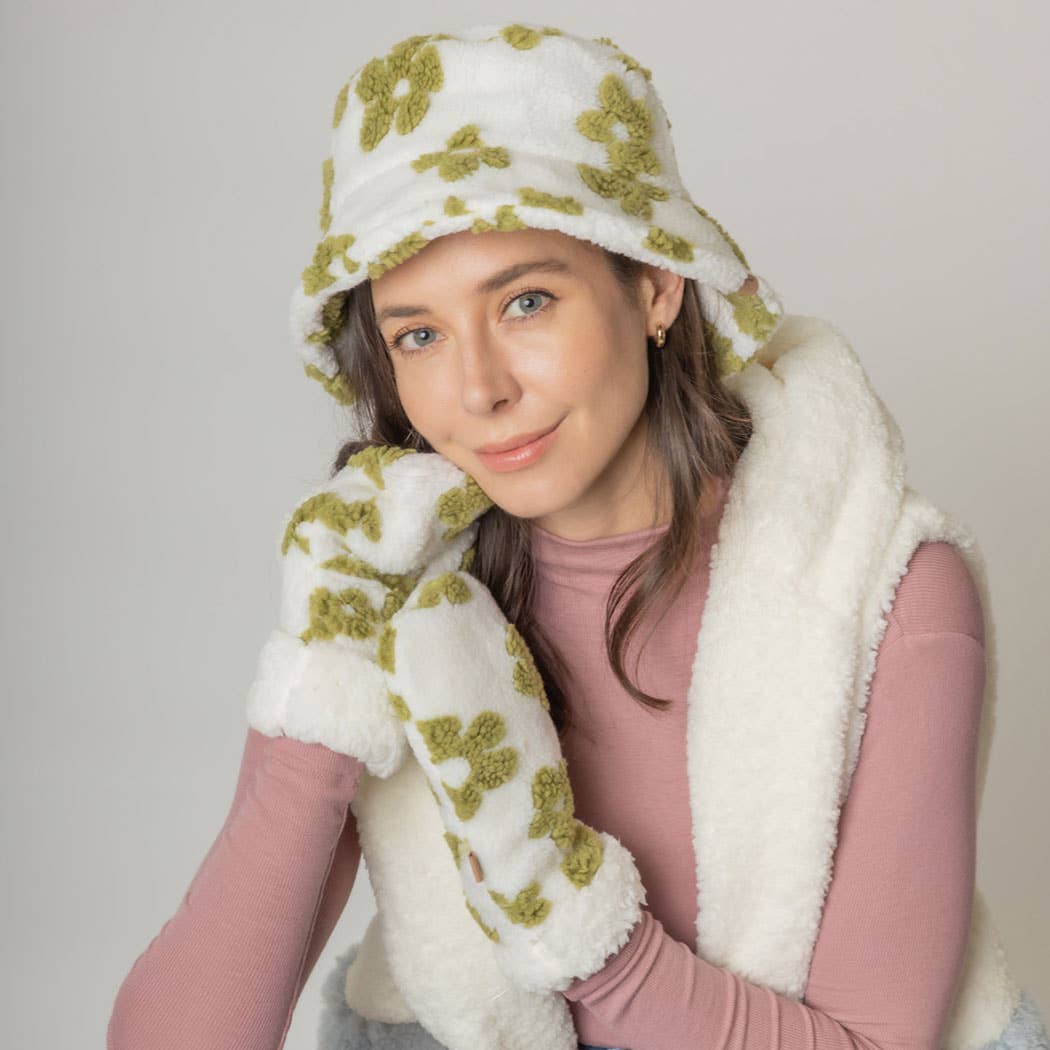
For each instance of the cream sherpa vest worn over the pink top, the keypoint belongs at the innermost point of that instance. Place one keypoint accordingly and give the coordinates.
(817, 532)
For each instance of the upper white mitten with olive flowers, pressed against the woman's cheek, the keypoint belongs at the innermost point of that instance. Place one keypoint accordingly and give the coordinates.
(351, 553)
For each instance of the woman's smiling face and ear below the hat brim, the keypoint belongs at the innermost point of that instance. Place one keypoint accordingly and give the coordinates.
(487, 348)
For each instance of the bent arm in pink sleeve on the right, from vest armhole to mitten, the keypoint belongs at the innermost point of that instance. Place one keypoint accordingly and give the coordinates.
(894, 930)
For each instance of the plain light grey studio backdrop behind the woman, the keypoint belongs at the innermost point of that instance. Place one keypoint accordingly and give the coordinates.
(884, 165)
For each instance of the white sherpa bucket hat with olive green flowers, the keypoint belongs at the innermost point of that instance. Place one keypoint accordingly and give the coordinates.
(503, 128)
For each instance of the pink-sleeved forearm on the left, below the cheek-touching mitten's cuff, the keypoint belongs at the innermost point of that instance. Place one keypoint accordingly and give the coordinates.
(227, 970)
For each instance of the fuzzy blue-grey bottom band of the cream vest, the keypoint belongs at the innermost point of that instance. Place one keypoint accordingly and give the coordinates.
(343, 1028)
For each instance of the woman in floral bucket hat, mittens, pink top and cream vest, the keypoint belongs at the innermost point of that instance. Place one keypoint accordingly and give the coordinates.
(786, 769)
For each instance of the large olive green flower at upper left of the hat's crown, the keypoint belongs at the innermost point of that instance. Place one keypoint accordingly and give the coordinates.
(415, 60)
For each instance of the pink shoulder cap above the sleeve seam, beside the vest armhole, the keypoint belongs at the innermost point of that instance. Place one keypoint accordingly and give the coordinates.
(937, 595)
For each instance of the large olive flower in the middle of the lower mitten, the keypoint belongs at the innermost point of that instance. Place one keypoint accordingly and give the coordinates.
(445, 739)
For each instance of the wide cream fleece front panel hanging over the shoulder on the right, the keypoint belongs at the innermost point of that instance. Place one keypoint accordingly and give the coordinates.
(816, 492)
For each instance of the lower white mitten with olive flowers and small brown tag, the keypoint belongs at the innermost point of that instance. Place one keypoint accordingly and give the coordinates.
(555, 896)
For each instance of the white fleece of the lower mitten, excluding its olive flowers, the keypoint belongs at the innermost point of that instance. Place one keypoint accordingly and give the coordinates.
(452, 660)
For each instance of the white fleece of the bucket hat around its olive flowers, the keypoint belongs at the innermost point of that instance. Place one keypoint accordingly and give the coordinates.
(527, 102)
